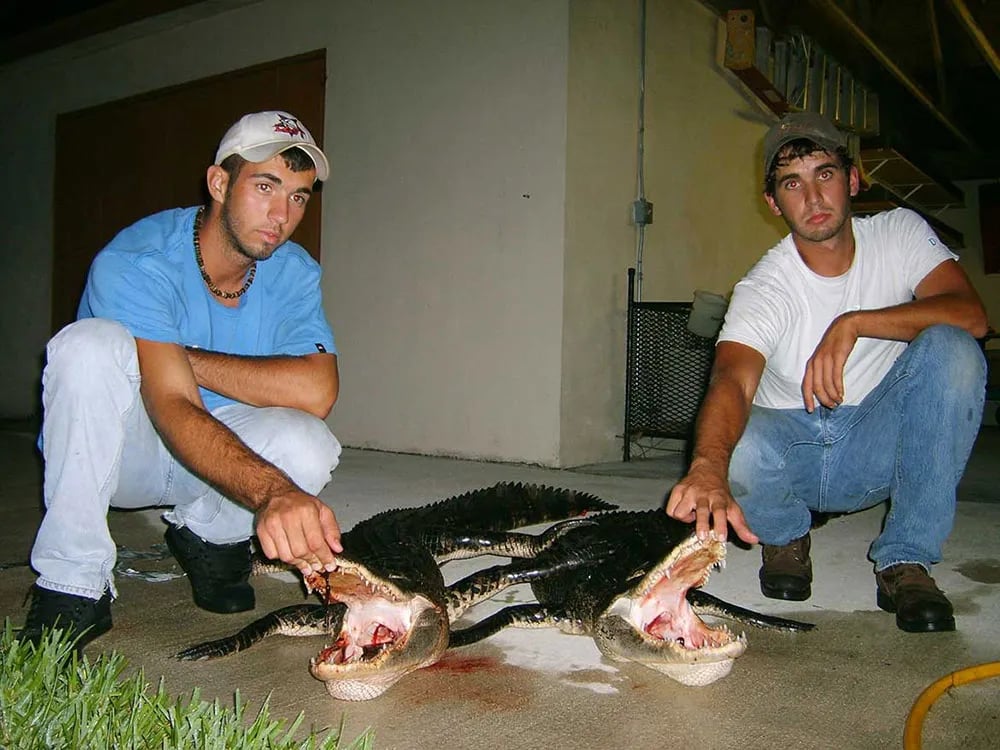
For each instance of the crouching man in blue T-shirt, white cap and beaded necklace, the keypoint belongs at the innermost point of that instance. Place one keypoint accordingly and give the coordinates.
(197, 376)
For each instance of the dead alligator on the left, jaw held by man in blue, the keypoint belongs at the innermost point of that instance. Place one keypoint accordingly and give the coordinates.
(386, 606)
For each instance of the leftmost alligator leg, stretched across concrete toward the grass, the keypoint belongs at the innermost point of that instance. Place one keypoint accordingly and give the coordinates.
(297, 619)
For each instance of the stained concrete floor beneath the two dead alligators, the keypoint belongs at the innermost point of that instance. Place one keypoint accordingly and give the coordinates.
(848, 684)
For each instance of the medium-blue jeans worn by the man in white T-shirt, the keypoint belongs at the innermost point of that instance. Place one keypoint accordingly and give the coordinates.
(908, 440)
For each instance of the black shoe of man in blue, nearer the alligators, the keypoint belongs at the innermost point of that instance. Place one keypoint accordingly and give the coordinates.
(218, 573)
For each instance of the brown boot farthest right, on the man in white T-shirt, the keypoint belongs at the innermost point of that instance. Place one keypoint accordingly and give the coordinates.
(909, 591)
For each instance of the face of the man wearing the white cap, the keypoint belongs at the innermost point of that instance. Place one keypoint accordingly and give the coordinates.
(263, 205)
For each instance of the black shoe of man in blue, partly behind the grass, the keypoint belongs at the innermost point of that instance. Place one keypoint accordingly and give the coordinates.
(78, 616)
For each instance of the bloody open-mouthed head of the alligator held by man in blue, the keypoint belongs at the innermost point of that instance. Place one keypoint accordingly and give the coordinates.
(386, 634)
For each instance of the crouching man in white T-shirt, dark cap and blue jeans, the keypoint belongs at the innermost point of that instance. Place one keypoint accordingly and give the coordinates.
(846, 374)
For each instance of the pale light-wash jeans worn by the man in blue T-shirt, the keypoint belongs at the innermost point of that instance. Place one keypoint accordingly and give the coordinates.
(102, 451)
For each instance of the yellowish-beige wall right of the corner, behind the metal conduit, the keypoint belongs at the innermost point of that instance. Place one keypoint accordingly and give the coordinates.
(702, 145)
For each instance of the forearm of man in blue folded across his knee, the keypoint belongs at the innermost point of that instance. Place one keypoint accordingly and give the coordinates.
(308, 383)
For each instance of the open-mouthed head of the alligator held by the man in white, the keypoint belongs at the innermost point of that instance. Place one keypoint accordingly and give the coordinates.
(653, 624)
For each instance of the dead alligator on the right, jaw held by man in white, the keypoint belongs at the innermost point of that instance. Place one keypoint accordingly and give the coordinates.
(638, 604)
